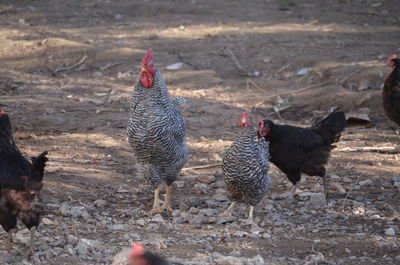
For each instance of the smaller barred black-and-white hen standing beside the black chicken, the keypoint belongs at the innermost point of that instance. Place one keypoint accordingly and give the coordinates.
(245, 165)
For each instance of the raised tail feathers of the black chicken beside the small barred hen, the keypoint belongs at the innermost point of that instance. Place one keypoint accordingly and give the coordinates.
(331, 126)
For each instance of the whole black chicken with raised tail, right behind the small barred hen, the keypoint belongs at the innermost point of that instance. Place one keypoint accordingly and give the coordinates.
(296, 150)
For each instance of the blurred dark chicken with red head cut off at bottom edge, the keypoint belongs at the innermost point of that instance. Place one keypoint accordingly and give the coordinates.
(138, 256)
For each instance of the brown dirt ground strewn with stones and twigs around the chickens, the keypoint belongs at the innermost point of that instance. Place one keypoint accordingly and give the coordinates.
(67, 72)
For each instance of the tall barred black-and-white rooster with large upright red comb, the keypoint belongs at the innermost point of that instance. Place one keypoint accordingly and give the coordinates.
(156, 131)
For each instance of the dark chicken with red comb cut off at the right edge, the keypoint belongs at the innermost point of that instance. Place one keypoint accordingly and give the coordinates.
(391, 91)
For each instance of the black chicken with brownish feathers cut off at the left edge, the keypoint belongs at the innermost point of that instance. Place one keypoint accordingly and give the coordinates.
(20, 183)
